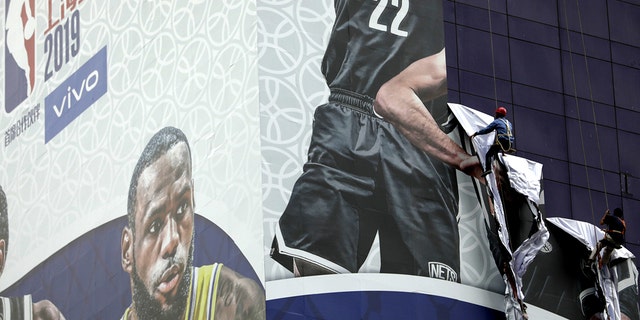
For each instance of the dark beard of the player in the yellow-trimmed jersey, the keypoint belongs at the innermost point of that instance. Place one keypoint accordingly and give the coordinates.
(148, 308)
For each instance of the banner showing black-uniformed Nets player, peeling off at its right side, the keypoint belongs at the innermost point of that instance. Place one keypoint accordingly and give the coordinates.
(350, 231)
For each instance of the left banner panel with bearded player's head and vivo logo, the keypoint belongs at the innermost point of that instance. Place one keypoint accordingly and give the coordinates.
(131, 163)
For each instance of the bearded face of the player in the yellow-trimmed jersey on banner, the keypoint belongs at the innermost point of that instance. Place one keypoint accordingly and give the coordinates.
(163, 239)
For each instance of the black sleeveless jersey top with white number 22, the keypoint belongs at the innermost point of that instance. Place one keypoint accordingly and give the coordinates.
(373, 40)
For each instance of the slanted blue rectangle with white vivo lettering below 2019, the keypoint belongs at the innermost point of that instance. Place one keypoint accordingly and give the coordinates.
(75, 95)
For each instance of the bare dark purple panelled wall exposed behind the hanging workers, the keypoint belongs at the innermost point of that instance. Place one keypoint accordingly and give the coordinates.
(569, 72)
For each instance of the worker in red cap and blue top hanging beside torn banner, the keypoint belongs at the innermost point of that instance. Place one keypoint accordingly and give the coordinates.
(504, 136)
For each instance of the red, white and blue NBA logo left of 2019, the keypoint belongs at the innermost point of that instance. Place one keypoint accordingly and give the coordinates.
(19, 52)
